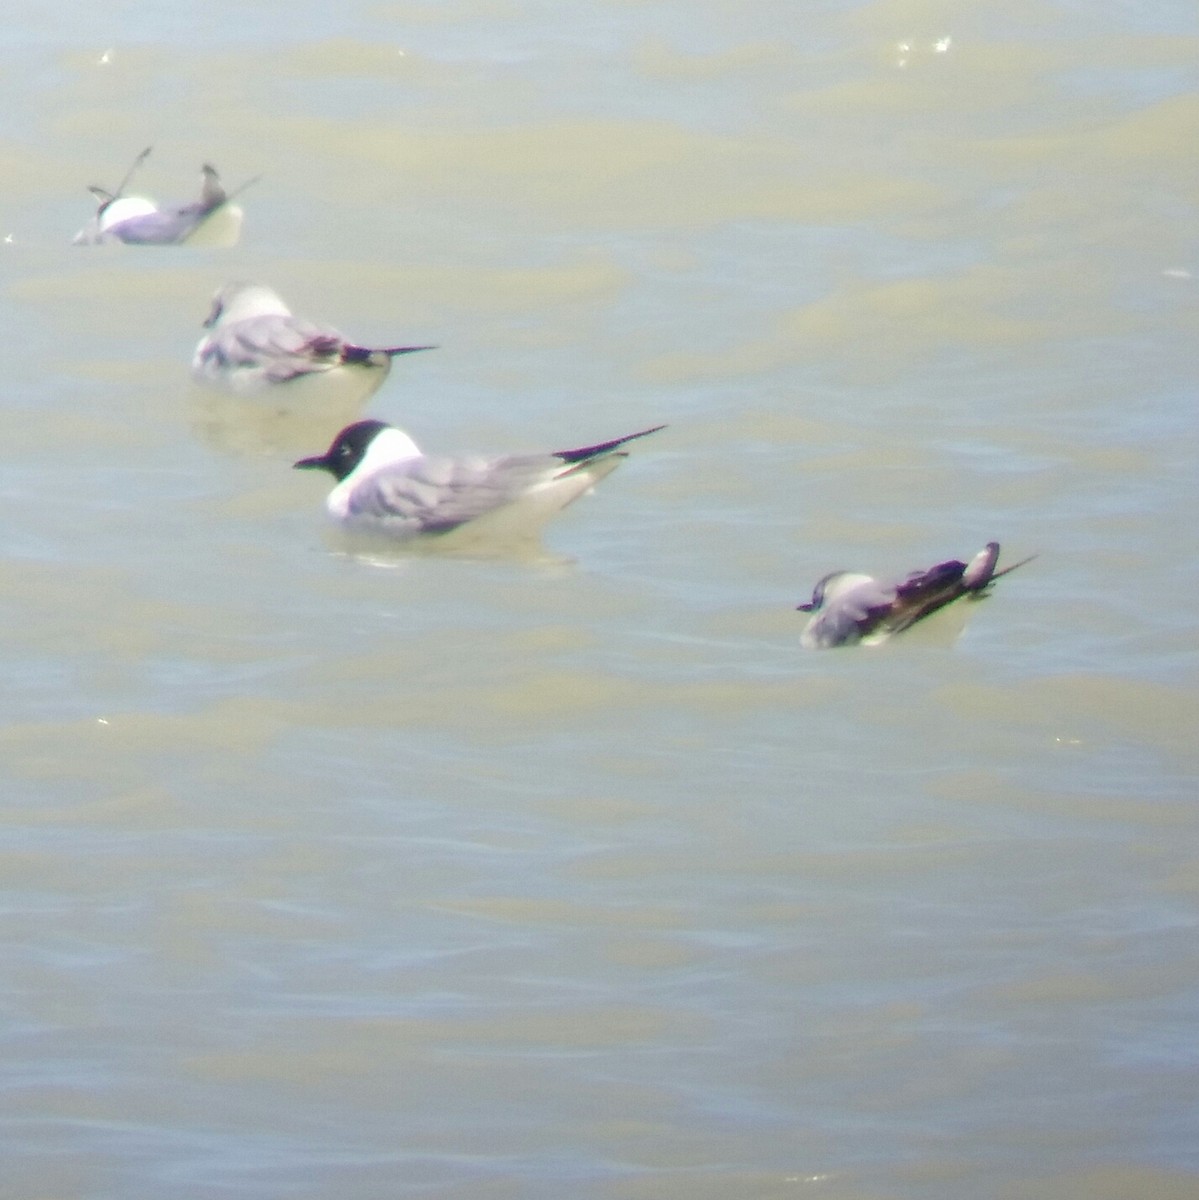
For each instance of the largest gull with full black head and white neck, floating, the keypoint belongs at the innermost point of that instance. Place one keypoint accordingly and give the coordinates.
(387, 487)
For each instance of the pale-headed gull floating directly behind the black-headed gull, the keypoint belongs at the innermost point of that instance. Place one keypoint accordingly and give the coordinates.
(254, 344)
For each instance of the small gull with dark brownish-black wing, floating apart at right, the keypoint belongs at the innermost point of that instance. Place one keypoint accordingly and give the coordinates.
(850, 608)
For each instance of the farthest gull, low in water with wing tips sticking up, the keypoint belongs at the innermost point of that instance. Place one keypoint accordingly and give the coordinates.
(139, 221)
